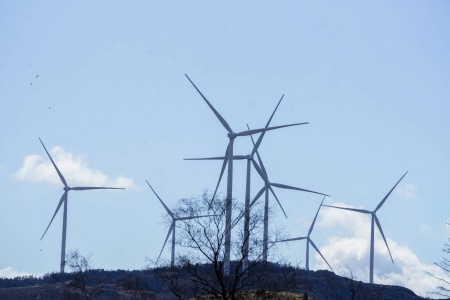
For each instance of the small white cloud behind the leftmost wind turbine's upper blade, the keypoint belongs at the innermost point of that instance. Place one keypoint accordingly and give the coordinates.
(74, 169)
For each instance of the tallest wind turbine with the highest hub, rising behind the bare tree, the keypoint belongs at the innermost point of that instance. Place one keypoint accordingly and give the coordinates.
(229, 160)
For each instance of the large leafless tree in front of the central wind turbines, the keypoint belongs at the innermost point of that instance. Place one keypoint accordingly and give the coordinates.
(199, 271)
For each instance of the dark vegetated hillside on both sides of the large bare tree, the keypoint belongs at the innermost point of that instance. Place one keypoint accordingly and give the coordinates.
(155, 284)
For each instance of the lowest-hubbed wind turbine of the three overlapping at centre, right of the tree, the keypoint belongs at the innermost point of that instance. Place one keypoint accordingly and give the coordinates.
(266, 188)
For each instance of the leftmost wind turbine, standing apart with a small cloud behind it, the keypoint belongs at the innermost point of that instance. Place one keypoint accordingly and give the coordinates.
(63, 199)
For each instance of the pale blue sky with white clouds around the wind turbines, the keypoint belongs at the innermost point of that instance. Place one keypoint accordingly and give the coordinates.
(111, 96)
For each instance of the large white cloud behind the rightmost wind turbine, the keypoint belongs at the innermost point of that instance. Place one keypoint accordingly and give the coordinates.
(352, 246)
